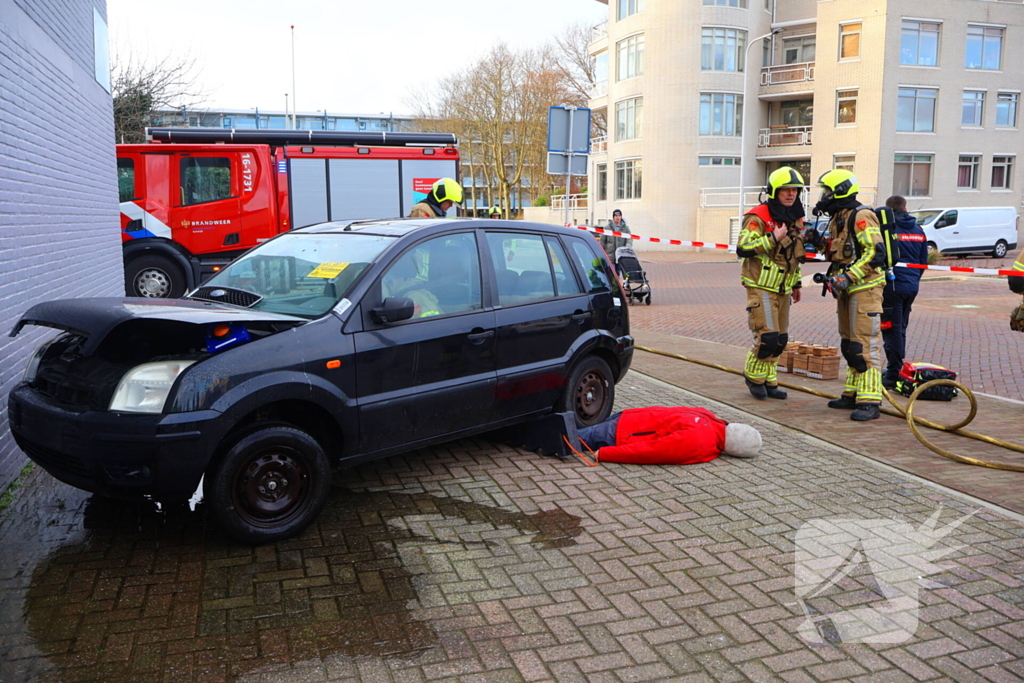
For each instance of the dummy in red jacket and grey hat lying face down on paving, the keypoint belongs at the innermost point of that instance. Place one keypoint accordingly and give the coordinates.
(669, 437)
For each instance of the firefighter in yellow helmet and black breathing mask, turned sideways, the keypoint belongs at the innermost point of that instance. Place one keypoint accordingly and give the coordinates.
(857, 277)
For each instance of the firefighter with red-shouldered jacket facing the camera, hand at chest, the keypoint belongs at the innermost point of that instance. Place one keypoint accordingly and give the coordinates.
(773, 250)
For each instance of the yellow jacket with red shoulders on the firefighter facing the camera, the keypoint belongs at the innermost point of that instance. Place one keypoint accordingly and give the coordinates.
(770, 265)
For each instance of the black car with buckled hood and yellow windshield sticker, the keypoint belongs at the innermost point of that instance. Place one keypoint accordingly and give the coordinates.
(328, 346)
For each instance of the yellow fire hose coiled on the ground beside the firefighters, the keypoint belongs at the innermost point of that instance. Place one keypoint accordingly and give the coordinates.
(901, 412)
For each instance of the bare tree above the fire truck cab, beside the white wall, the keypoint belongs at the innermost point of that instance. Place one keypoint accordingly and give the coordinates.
(141, 87)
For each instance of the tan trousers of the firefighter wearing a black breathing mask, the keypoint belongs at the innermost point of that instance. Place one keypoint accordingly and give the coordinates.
(861, 329)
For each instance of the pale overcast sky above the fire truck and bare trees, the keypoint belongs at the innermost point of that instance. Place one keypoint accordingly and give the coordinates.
(363, 57)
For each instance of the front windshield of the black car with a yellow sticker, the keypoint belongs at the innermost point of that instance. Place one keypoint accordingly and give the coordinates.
(303, 275)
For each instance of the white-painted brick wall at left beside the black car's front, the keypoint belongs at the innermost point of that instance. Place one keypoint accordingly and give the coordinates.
(59, 203)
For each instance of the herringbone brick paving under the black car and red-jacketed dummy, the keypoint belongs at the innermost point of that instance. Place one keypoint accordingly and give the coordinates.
(475, 562)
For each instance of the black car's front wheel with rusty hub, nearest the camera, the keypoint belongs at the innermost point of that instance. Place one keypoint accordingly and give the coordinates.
(270, 487)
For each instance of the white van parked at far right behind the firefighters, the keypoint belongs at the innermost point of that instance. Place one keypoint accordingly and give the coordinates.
(970, 231)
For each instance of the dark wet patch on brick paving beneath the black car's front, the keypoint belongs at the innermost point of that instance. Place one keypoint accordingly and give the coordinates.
(138, 595)
